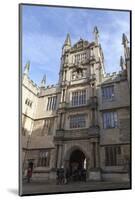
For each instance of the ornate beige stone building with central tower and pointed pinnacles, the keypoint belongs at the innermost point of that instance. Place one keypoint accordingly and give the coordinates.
(84, 120)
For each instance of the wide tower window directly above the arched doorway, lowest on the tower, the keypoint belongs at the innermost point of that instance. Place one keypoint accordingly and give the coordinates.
(78, 121)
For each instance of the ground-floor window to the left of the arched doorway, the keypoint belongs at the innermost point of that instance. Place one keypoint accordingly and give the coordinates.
(44, 158)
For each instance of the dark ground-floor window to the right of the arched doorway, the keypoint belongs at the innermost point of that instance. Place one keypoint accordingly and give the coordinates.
(112, 155)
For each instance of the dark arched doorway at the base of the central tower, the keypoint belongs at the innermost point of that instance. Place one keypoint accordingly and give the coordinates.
(77, 165)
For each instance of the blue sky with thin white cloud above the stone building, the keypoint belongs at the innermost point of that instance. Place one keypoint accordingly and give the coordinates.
(44, 30)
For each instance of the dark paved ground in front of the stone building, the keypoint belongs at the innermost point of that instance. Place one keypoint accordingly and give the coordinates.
(44, 187)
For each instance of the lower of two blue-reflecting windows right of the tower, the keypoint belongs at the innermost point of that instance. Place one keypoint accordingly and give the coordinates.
(110, 120)
